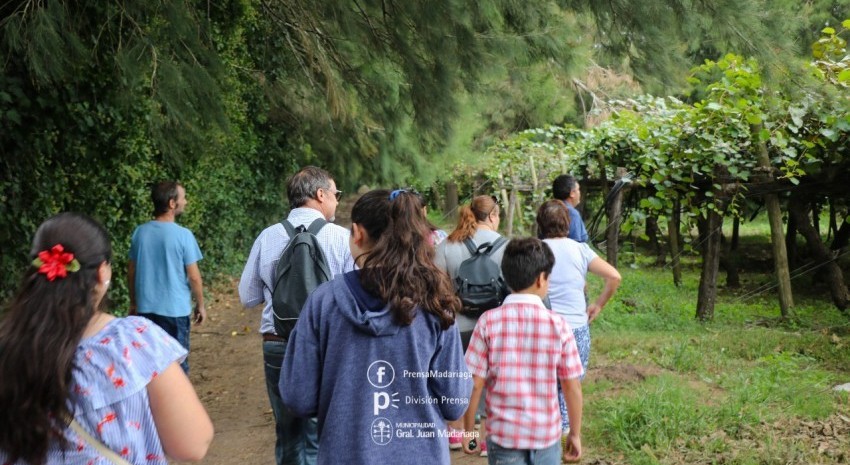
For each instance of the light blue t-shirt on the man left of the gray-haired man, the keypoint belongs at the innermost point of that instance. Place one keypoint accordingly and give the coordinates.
(162, 250)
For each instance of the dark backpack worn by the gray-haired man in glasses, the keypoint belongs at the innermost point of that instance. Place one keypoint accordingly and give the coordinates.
(300, 270)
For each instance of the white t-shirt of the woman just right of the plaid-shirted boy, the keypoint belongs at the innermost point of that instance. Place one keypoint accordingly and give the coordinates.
(566, 283)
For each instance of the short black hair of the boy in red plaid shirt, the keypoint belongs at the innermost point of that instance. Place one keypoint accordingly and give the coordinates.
(524, 259)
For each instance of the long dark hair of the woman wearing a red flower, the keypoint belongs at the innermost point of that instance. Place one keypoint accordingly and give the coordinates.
(39, 337)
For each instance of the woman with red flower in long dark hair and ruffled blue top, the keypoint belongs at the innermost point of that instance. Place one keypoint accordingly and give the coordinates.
(79, 385)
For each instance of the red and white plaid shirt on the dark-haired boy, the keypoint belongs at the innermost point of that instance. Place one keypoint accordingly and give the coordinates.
(522, 349)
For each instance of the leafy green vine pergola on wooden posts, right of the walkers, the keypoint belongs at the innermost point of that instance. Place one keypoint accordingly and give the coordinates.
(738, 147)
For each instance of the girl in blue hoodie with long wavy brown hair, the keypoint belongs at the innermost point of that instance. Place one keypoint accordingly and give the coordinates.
(376, 355)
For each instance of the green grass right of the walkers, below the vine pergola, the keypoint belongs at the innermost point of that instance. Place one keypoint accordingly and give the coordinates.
(726, 391)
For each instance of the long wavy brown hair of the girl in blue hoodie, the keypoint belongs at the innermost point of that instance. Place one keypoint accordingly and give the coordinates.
(400, 267)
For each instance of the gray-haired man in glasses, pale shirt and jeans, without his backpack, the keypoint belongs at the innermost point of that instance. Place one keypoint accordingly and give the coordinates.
(312, 195)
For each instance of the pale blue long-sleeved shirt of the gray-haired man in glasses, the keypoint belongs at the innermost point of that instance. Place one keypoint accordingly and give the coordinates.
(255, 287)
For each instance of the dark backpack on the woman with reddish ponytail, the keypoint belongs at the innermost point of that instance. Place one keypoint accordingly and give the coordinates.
(479, 282)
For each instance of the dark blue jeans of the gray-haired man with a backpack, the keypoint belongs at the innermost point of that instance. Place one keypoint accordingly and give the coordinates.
(297, 441)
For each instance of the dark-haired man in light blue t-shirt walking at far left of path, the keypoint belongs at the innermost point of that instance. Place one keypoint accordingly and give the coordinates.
(163, 271)
